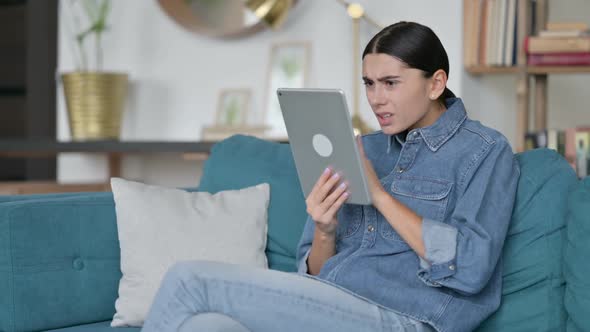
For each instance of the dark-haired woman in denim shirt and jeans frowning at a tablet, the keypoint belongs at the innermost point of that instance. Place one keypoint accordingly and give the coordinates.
(425, 256)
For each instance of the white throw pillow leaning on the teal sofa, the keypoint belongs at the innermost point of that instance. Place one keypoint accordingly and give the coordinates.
(159, 226)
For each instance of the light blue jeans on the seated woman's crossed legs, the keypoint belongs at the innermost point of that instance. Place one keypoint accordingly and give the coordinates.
(209, 296)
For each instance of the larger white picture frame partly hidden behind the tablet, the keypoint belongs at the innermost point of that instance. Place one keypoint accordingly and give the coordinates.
(288, 68)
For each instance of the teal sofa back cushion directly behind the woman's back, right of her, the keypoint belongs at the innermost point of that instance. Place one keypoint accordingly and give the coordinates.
(533, 284)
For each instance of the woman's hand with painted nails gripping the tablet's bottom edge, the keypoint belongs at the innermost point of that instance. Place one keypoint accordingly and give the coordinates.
(325, 200)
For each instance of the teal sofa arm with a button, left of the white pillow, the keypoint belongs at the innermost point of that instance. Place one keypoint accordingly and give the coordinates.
(59, 262)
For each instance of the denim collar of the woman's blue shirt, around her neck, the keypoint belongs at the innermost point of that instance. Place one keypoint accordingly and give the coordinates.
(442, 130)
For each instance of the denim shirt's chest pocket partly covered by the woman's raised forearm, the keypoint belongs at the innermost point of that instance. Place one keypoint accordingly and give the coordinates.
(426, 197)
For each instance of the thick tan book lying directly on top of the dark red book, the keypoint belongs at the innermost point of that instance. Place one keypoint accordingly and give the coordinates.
(536, 45)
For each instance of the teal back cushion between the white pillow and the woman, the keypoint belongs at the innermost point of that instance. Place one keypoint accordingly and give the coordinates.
(243, 161)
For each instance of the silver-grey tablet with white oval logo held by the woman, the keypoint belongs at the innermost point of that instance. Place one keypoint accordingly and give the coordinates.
(320, 132)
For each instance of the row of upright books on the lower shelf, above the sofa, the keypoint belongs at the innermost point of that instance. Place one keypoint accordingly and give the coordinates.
(572, 143)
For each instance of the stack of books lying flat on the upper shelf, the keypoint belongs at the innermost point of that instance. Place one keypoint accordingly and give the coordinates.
(560, 44)
